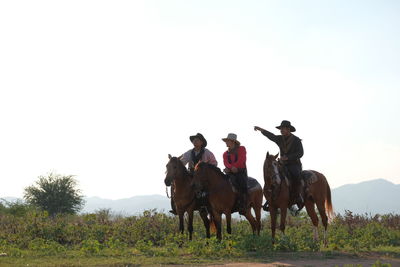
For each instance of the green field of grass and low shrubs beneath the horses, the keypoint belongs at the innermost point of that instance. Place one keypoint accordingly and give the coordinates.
(29, 237)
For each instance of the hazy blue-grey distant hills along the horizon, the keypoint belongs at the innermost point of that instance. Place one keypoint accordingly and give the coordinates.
(372, 197)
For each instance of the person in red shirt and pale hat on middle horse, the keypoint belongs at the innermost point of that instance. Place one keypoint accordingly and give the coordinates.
(235, 164)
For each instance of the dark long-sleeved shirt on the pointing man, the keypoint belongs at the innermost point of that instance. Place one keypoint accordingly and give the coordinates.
(289, 146)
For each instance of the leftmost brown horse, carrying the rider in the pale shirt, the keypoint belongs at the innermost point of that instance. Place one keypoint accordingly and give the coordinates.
(185, 198)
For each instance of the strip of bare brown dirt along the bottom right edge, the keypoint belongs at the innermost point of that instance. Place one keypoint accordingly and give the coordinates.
(316, 263)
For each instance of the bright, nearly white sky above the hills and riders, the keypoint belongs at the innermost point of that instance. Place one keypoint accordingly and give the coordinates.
(105, 90)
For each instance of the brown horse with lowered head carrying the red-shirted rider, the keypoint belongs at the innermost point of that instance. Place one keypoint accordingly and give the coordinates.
(222, 197)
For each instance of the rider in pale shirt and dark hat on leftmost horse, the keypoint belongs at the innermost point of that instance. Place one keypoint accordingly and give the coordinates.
(192, 157)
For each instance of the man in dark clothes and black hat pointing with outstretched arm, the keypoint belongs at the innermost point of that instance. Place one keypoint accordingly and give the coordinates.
(291, 150)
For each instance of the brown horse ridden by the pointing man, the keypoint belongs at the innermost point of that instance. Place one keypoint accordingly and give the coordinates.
(276, 191)
